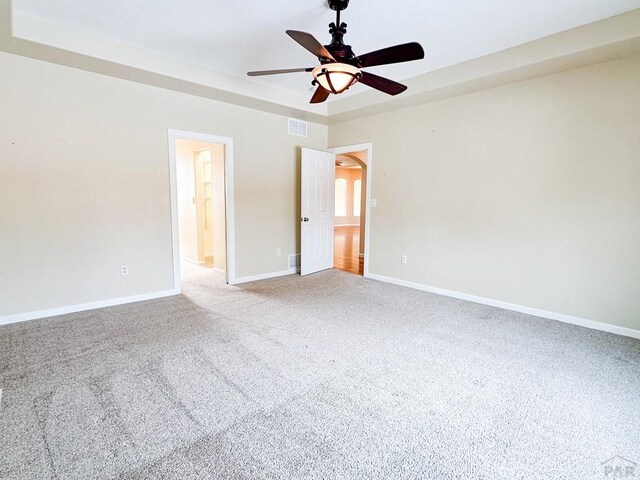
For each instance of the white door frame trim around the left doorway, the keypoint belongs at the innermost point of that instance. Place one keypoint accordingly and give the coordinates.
(230, 233)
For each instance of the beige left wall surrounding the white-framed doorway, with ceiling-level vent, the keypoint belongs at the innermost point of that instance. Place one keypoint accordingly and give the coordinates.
(84, 184)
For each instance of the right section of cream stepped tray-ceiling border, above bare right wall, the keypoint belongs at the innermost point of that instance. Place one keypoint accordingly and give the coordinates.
(601, 41)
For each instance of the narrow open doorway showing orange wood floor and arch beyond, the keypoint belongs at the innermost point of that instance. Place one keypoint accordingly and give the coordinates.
(350, 211)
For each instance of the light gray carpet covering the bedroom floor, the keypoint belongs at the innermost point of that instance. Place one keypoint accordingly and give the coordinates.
(328, 376)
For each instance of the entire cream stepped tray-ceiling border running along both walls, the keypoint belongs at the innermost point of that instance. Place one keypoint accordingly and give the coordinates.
(596, 42)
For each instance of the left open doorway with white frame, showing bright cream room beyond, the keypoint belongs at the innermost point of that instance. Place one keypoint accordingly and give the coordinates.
(202, 207)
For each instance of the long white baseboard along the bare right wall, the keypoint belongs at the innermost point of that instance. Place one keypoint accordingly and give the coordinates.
(582, 322)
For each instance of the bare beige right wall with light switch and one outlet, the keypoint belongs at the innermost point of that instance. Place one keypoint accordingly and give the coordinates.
(527, 193)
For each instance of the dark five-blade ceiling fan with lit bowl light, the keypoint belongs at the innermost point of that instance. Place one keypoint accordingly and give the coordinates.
(340, 68)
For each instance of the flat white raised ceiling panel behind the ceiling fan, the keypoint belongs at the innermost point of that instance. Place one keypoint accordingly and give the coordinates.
(234, 37)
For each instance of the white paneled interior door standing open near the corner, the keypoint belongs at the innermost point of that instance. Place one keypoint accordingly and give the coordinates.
(317, 199)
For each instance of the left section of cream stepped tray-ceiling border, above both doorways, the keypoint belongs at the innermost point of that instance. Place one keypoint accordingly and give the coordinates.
(28, 36)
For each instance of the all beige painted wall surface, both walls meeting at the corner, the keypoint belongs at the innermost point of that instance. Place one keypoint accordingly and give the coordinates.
(526, 193)
